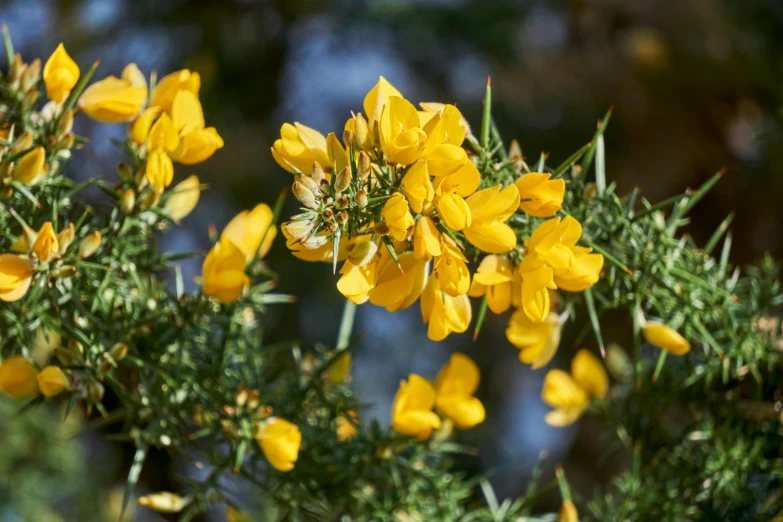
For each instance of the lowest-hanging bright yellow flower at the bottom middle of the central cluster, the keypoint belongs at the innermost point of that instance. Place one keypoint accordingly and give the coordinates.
(444, 313)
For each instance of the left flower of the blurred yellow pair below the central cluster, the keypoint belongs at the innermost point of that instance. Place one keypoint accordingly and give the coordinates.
(412, 408)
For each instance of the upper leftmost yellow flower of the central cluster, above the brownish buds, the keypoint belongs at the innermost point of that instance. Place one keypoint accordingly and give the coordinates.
(299, 146)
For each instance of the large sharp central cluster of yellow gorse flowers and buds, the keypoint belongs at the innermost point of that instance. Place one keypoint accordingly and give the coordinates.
(406, 208)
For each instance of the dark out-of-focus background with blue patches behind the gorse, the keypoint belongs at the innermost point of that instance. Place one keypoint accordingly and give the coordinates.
(694, 84)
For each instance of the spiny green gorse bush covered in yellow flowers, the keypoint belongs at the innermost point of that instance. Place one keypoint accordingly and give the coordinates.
(406, 204)
